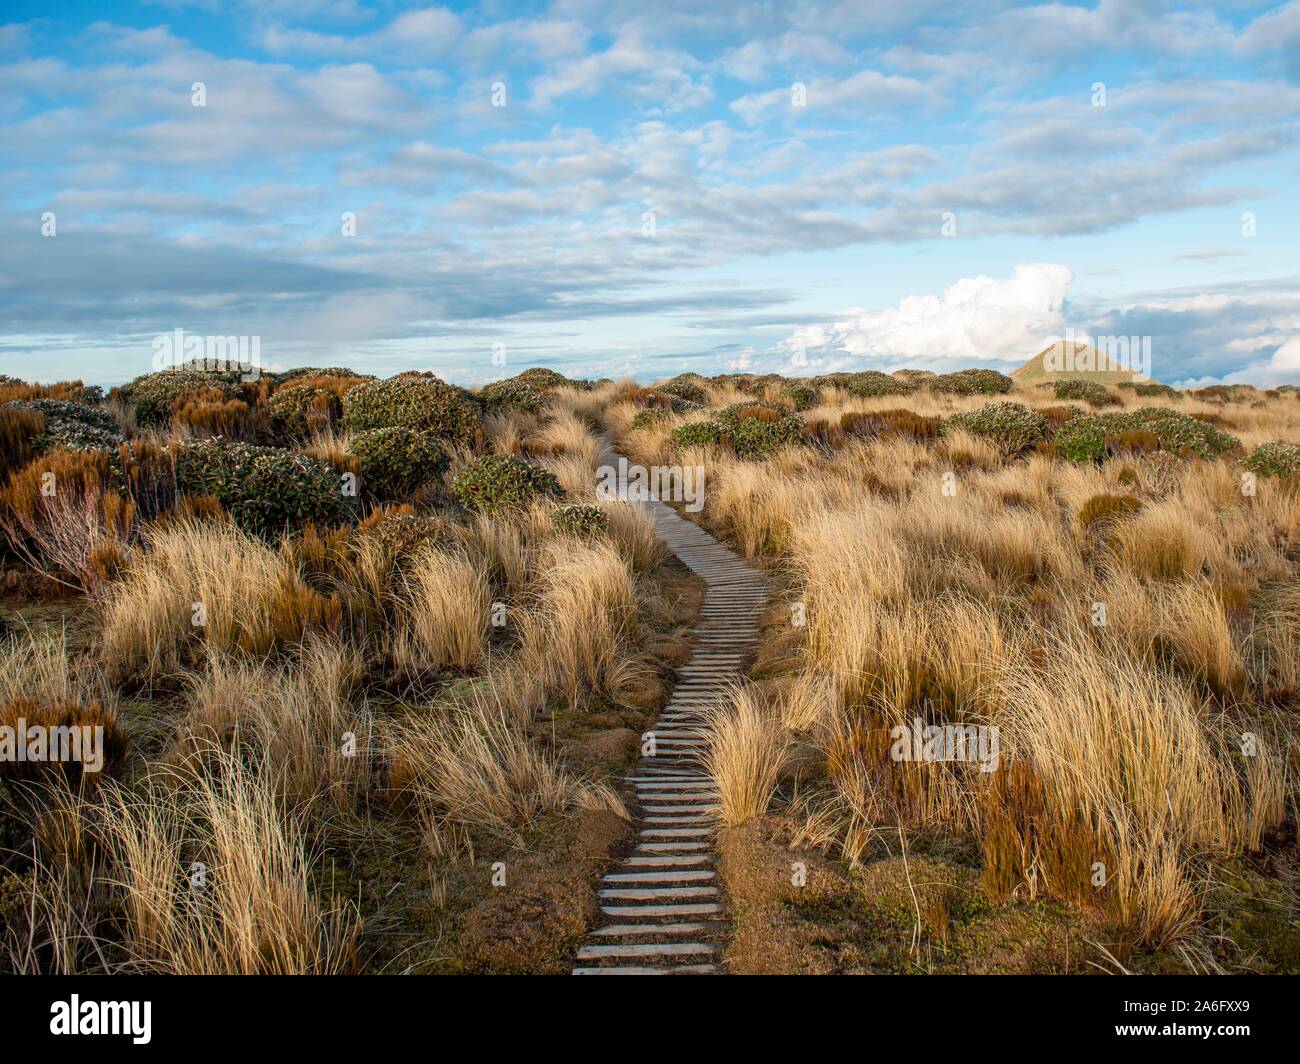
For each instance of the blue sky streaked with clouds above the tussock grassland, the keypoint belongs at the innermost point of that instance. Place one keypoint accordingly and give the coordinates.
(635, 189)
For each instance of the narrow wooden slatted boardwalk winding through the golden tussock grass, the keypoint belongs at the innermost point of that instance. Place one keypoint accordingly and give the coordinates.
(664, 911)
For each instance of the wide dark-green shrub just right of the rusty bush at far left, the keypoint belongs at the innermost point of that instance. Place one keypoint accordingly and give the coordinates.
(266, 490)
